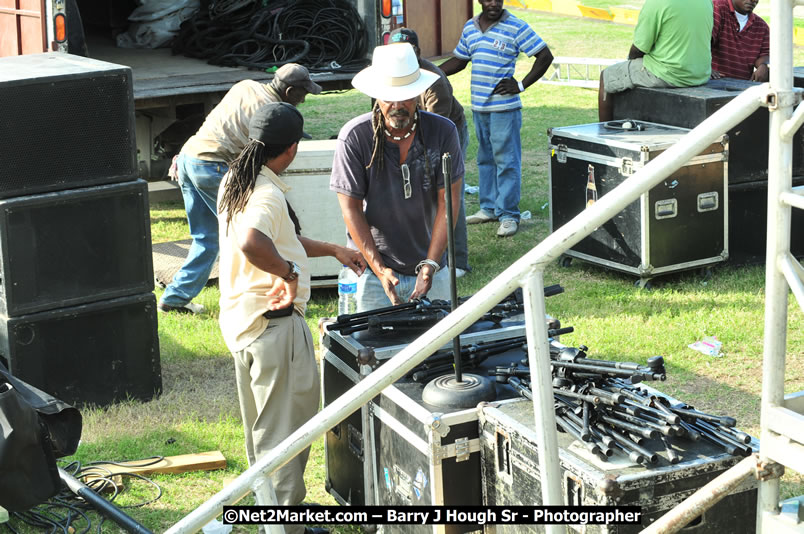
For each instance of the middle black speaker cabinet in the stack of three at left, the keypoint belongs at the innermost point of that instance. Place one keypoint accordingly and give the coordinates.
(73, 247)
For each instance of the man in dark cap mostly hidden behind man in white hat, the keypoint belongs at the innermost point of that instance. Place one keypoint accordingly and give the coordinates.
(438, 99)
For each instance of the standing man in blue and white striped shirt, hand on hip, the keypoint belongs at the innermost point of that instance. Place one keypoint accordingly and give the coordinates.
(492, 41)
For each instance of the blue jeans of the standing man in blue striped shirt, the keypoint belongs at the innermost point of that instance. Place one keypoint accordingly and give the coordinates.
(499, 162)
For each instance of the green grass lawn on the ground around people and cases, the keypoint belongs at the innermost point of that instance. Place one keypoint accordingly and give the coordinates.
(198, 409)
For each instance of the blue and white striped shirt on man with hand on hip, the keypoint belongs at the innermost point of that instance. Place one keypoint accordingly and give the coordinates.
(493, 55)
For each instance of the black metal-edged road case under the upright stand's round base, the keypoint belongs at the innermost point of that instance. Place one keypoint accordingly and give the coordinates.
(427, 455)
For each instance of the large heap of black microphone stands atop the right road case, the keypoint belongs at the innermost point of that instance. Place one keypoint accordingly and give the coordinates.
(599, 404)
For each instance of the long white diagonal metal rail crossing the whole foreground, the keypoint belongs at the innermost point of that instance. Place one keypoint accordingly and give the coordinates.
(517, 275)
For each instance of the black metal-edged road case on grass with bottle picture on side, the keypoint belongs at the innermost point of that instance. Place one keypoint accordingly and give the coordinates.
(679, 224)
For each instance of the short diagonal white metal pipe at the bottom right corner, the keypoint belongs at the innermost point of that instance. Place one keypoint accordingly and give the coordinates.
(704, 498)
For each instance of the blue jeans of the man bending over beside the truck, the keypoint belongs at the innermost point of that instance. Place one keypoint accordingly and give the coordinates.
(199, 181)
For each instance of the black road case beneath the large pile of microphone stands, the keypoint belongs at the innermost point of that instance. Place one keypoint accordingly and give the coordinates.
(511, 477)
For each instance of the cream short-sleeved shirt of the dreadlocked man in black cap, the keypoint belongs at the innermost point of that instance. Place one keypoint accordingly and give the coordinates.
(243, 286)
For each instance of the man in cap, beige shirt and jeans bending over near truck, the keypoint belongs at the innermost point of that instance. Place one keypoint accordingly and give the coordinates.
(203, 161)
